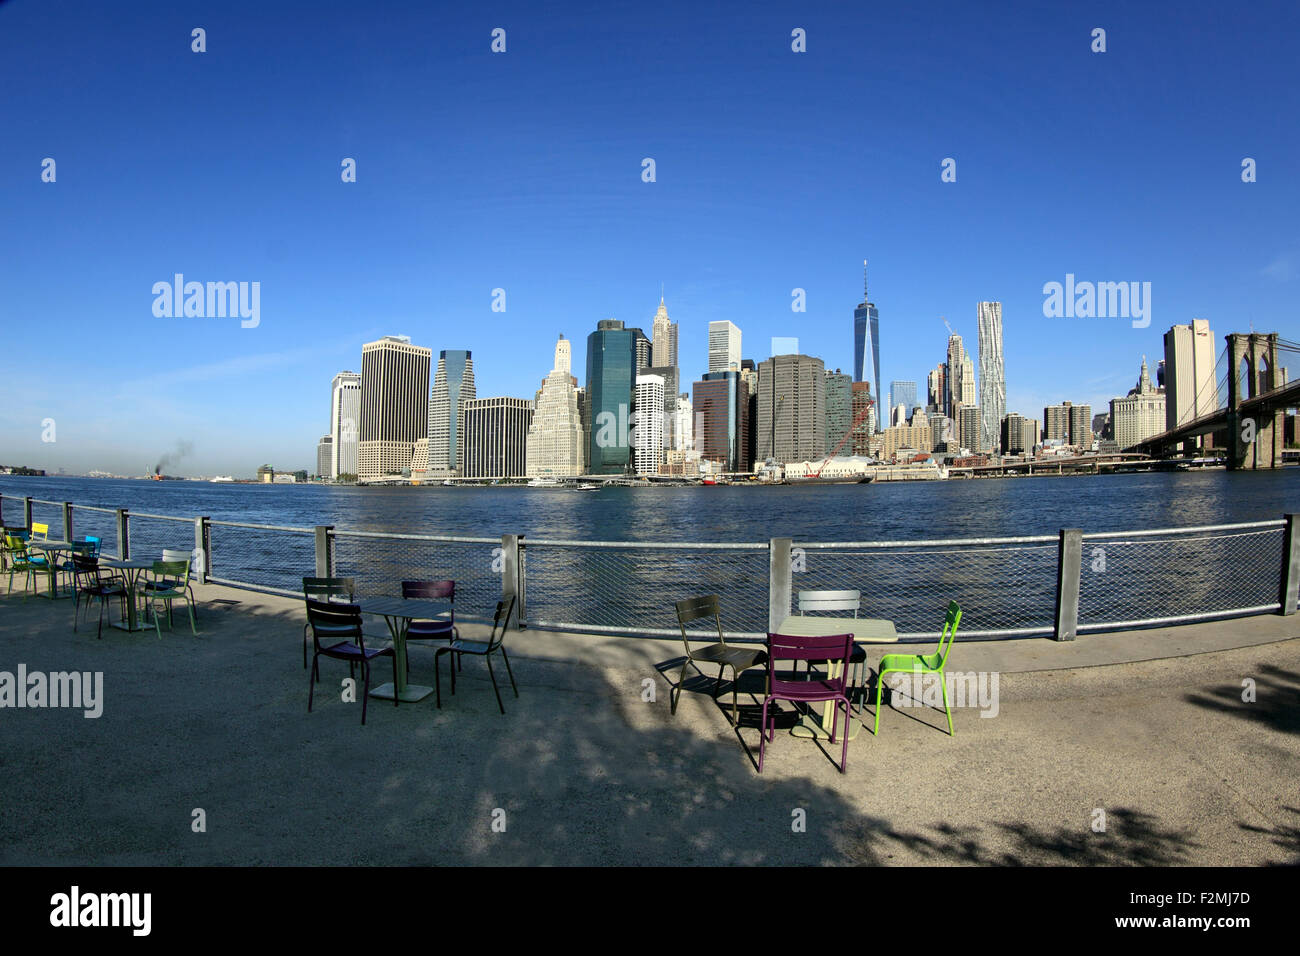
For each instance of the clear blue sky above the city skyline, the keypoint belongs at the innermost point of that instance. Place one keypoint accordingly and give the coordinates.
(523, 171)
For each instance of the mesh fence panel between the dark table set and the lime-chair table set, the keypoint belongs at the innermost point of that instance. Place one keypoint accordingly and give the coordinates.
(636, 589)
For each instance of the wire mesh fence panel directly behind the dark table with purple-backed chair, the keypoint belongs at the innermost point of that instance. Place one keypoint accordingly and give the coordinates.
(380, 564)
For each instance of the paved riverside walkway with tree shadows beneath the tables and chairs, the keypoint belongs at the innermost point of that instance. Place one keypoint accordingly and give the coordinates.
(1149, 726)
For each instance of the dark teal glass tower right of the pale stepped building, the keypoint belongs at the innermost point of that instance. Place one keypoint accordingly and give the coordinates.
(612, 371)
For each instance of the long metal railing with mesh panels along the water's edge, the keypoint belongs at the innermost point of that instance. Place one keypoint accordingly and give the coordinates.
(1009, 587)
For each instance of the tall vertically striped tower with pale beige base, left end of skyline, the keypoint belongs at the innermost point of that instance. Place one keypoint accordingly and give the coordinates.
(395, 405)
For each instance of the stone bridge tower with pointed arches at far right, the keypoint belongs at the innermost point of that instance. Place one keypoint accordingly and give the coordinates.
(1264, 425)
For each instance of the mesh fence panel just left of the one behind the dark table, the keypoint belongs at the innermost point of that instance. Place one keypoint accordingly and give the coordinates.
(262, 557)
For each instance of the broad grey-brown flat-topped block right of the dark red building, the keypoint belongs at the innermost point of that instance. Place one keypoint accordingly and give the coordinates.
(791, 409)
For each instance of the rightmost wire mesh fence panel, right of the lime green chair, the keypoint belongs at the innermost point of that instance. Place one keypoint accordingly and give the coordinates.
(1180, 574)
